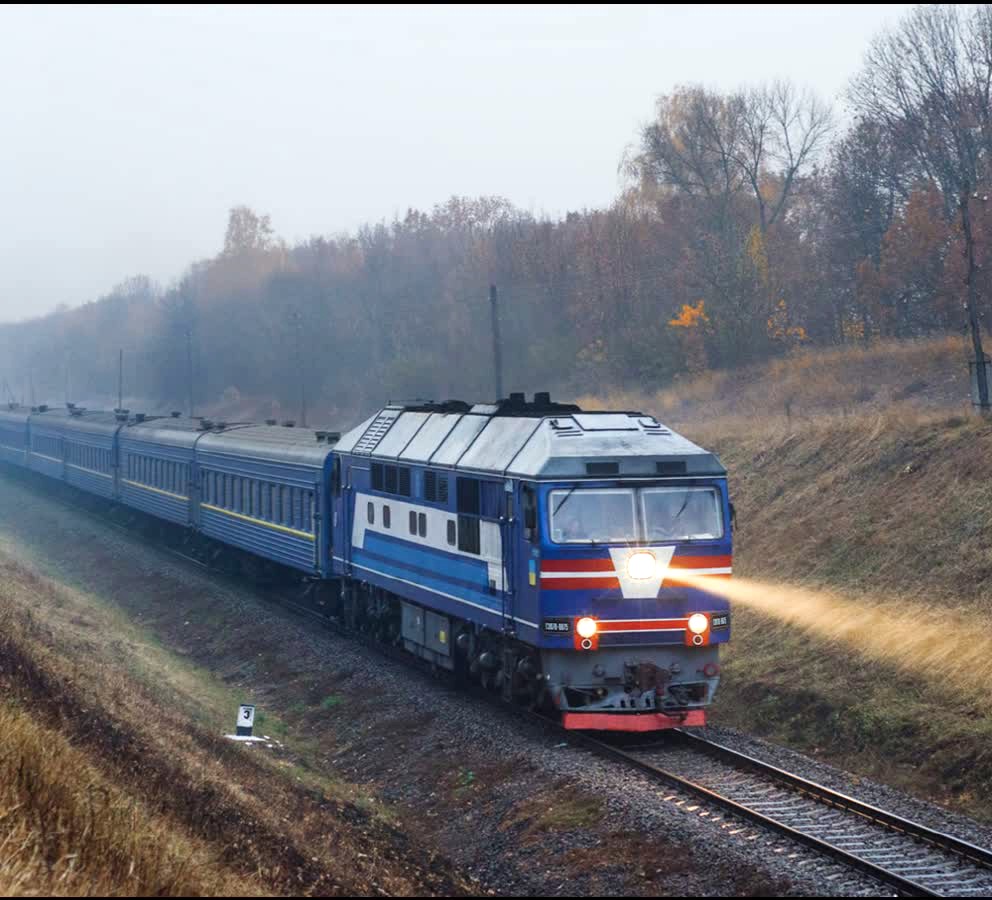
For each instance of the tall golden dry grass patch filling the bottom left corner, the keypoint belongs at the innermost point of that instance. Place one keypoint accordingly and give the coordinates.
(65, 829)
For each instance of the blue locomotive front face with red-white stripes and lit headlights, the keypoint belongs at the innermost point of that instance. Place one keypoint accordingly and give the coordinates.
(631, 625)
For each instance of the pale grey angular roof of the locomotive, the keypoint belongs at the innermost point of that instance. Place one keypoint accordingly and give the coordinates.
(535, 441)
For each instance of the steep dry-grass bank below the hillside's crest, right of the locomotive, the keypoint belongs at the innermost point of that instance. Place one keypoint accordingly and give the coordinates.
(890, 513)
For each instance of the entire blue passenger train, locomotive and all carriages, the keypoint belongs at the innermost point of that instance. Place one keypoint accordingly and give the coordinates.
(561, 558)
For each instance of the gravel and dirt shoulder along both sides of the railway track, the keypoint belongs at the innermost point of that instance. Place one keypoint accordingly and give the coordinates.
(514, 810)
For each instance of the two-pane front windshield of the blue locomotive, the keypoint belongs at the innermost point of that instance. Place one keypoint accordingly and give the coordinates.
(624, 515)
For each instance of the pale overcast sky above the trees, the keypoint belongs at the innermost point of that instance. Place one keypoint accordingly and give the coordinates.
(127, 133)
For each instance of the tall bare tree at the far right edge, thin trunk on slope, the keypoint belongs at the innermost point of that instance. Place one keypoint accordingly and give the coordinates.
(929, 84)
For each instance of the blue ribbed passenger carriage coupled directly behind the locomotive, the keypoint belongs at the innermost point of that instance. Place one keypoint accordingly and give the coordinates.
(263, 489)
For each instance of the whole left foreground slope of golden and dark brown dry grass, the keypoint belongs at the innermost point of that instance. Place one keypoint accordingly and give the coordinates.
(108, 788)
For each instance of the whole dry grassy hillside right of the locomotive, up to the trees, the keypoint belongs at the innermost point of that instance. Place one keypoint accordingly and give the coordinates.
(865, 516)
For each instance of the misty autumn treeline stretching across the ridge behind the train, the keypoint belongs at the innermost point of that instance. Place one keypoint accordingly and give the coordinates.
(752, 224)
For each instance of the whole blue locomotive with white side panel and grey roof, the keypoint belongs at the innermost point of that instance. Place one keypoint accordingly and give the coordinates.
(559, 556)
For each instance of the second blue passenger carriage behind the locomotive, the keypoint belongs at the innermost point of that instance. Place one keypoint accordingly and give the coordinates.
(157, 465)
